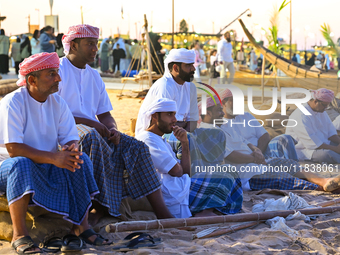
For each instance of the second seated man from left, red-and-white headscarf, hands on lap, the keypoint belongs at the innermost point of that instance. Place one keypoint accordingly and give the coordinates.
(122, 165)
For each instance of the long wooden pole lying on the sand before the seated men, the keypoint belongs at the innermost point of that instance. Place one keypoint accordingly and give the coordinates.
(244, 217)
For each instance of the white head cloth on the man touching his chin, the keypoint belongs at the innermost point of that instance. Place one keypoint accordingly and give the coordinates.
(160, 105)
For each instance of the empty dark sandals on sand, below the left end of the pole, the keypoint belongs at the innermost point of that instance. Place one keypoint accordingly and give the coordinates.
(137, 240)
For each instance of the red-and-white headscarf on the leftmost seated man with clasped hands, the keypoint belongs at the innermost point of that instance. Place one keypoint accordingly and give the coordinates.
(37, 62)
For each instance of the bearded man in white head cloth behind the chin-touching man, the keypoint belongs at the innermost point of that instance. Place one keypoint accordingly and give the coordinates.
(175, 85)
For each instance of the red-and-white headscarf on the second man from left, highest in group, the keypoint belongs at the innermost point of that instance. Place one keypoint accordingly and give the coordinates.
(79, 31)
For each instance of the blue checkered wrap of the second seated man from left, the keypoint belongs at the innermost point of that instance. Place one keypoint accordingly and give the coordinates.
(120, 170)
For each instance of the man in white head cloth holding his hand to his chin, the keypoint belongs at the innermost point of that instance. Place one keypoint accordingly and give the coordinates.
(174, 173)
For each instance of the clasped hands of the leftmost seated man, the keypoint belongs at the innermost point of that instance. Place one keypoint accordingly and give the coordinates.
(68, 158)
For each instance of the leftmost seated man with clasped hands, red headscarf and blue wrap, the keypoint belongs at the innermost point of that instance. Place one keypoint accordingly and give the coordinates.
(33, 121)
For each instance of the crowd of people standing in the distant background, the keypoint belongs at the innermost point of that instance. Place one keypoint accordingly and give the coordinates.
(117, 55)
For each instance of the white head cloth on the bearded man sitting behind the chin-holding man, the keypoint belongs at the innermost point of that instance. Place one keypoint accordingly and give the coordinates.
(179, 55)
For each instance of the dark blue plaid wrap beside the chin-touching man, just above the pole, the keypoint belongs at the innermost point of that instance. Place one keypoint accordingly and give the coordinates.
(223, 192)
